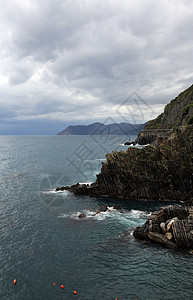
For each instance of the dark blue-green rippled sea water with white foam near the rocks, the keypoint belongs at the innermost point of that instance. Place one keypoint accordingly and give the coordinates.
(43, 242)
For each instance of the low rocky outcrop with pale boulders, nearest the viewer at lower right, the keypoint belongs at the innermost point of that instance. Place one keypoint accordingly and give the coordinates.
(171, 226)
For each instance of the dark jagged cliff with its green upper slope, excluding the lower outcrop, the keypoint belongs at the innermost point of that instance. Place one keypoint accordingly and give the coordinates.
(162, 170)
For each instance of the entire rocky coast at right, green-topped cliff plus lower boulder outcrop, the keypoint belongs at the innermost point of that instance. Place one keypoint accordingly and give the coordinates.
(162, 170)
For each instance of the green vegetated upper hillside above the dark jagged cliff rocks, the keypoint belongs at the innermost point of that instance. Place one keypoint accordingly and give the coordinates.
(177, 113)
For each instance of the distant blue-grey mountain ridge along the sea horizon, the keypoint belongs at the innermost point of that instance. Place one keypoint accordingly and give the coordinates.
(102, 129)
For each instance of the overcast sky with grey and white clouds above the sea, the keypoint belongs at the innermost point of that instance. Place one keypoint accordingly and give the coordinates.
(83, 61)
